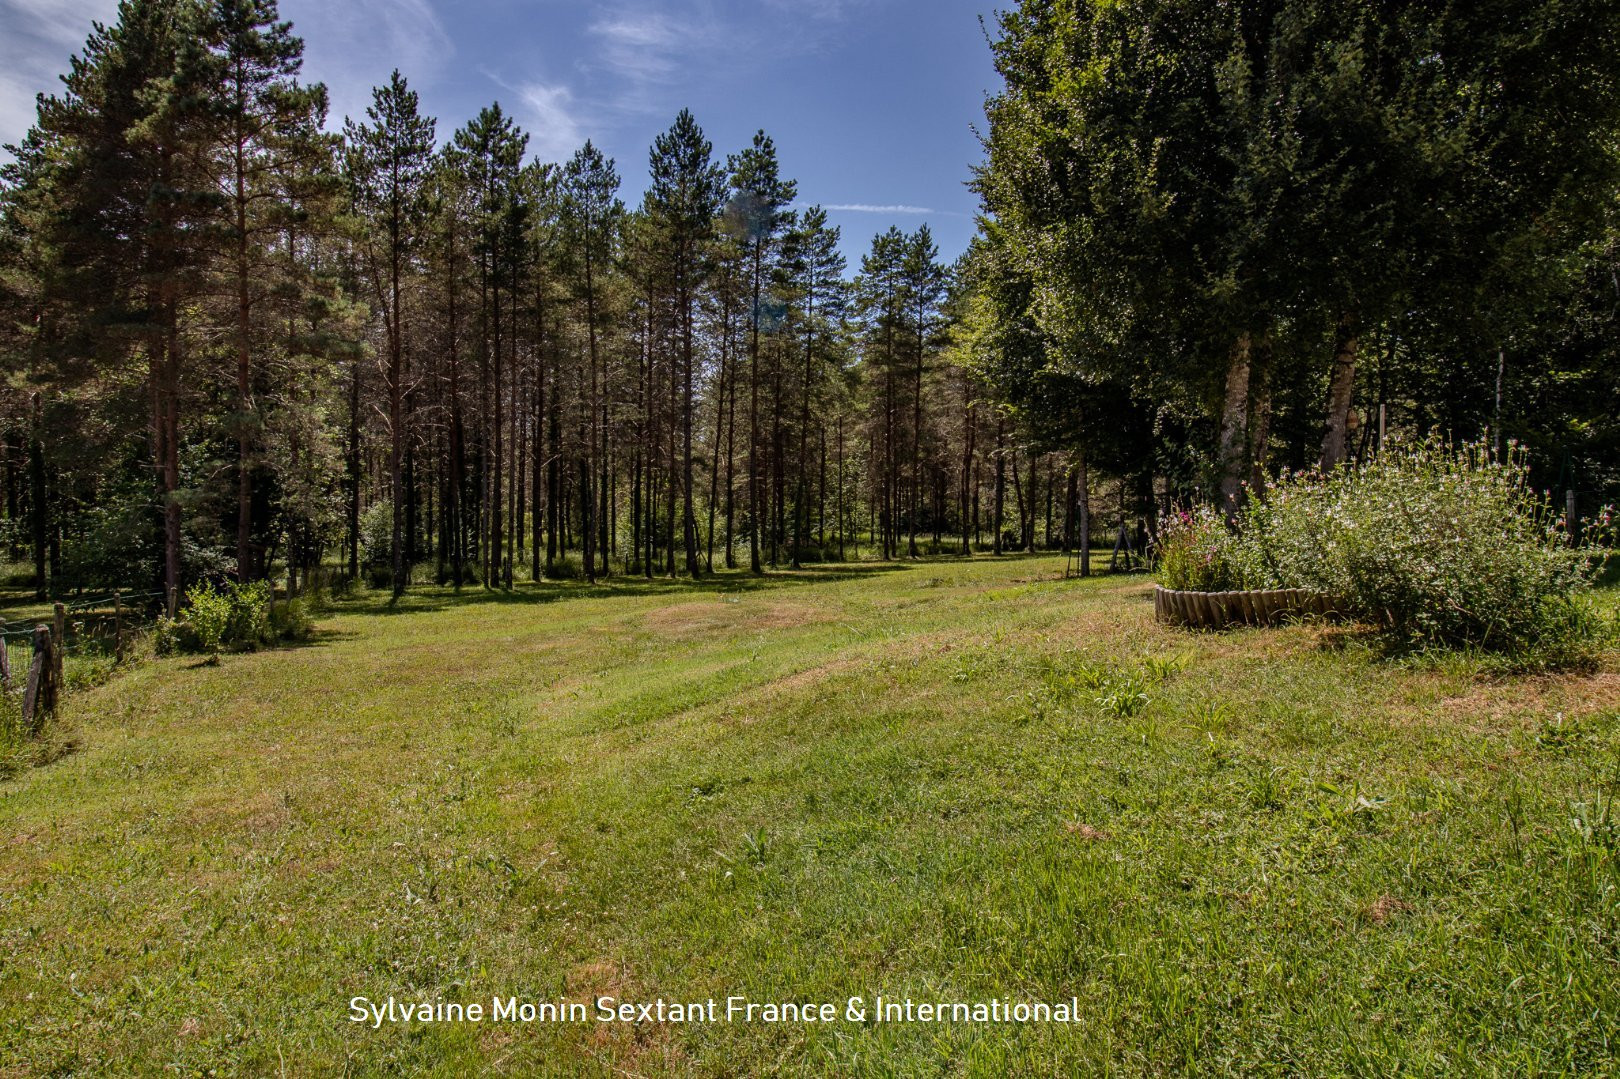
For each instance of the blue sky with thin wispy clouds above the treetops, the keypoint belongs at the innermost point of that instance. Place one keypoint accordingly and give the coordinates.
(872, 103)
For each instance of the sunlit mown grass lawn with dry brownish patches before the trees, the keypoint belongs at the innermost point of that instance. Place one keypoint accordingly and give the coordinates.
(1263, 851)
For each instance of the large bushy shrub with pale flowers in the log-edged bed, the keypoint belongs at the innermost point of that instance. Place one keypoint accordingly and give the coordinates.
(1436, 545)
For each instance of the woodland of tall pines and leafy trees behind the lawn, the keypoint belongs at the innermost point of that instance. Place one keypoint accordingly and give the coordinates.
(245, 339)
